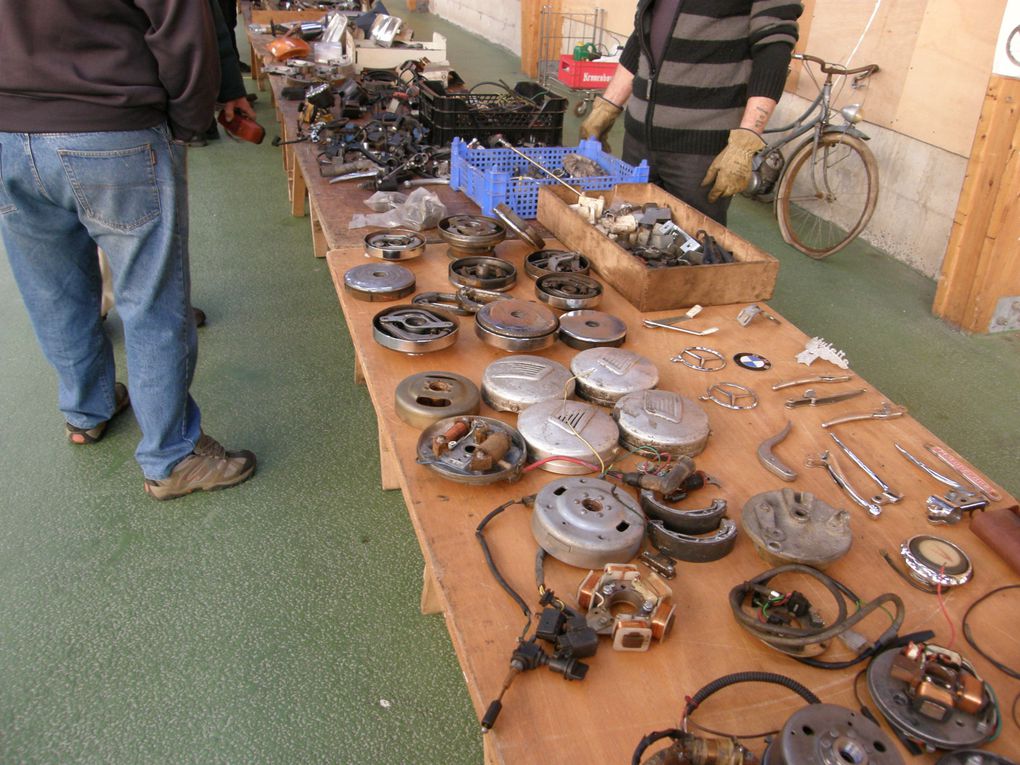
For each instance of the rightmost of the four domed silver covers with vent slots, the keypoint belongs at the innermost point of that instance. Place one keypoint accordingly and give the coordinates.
(665, 421)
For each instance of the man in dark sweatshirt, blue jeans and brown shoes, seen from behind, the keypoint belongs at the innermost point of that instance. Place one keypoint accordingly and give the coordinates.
(95, 103)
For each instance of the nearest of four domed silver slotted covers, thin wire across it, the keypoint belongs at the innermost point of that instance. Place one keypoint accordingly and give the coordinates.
(560, 429)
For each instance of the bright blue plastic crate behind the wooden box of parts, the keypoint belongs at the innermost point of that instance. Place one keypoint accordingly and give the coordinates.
(490, 177)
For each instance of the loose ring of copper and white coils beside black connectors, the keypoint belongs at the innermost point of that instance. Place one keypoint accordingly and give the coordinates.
(632, 608)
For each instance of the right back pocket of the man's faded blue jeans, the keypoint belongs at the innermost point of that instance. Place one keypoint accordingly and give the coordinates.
(115, 188)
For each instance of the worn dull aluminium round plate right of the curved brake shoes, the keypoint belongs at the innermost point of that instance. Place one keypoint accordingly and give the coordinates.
(789, 527)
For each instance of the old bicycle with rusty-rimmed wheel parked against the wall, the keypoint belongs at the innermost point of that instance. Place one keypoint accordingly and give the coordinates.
(826, 192)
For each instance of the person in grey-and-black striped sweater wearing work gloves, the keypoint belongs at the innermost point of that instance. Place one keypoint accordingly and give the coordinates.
(699, 81)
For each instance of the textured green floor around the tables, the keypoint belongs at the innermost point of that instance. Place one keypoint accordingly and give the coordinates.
(278, 623)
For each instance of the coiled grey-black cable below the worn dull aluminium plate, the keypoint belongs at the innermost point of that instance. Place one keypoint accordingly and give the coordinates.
(791, 638)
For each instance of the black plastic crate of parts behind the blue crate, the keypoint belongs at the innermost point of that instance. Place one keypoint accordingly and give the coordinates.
(527, 116)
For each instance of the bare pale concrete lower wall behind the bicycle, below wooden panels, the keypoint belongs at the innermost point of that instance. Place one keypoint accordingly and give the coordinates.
(920, 187)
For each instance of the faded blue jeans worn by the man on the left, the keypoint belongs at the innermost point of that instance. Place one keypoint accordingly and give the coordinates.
(62, 194)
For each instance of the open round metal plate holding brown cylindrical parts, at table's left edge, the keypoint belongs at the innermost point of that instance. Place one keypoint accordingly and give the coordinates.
(454, 464)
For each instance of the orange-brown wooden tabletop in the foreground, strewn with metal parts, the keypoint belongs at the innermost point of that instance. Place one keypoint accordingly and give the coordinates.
(548, 721)
